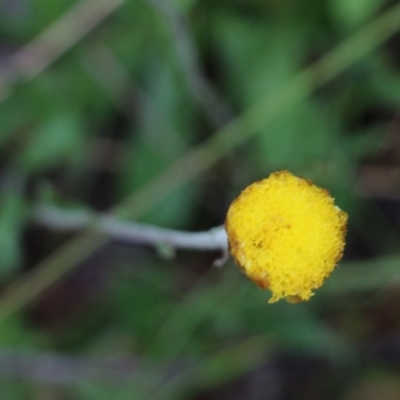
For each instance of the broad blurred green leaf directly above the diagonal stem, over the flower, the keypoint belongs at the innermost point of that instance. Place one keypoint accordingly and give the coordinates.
(257, 58)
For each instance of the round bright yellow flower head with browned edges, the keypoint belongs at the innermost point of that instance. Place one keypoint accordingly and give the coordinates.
(286, 235)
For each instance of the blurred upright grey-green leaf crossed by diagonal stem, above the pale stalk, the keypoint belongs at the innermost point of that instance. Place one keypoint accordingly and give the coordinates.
(163, 134)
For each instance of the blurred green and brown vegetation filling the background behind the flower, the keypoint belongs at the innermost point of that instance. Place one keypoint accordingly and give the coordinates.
(100, 102)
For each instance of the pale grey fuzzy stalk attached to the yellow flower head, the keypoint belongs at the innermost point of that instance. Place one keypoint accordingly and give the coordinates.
(60, 219)
